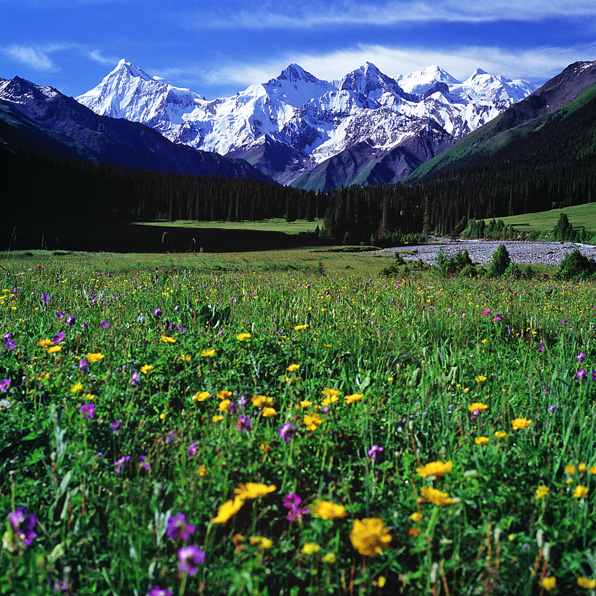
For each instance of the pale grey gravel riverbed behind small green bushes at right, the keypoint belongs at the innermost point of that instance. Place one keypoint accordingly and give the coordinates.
(481, 251)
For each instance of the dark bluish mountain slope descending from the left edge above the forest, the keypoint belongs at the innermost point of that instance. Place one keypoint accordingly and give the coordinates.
(42, 118)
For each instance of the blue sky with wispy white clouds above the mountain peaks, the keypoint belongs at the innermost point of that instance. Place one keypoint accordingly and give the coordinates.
(220, 47)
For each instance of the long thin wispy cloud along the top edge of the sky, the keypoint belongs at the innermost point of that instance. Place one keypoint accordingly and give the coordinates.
(311, 14)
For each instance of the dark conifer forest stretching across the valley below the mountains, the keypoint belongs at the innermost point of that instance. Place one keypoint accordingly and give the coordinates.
(551, 167)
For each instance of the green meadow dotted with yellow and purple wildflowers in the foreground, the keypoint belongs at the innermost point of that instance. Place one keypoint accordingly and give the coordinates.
(180, 431)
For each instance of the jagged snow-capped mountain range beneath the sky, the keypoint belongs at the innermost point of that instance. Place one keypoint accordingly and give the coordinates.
(296, 122)
